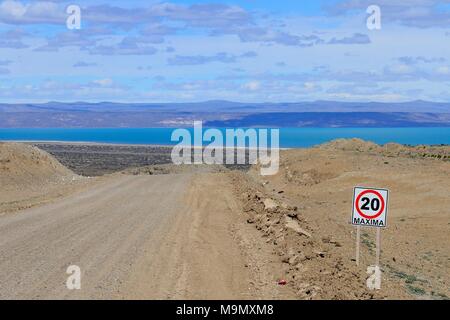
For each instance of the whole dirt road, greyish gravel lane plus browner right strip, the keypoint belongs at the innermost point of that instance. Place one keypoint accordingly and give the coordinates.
(141, 237)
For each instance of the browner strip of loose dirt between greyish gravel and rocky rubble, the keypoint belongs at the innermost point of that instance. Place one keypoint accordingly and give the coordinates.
(209, 252)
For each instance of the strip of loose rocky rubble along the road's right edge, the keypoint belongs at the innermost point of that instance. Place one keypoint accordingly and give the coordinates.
(313, 269)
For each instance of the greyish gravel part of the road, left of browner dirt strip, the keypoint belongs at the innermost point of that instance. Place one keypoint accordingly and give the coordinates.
(103, 230)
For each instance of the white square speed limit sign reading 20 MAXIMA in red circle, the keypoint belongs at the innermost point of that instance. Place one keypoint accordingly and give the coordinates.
(370, 207)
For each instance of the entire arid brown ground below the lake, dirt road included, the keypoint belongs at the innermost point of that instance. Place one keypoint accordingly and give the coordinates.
(154, 231)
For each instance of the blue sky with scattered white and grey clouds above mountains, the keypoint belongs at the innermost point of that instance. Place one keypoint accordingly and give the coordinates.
(247, 50)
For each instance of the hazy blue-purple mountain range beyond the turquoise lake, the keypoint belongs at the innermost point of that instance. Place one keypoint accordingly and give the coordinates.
(225, 114)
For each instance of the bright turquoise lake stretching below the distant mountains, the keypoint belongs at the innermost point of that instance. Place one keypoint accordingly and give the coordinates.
(289, 137)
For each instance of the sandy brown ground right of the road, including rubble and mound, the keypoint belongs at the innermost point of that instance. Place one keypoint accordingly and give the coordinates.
(309, 224)
